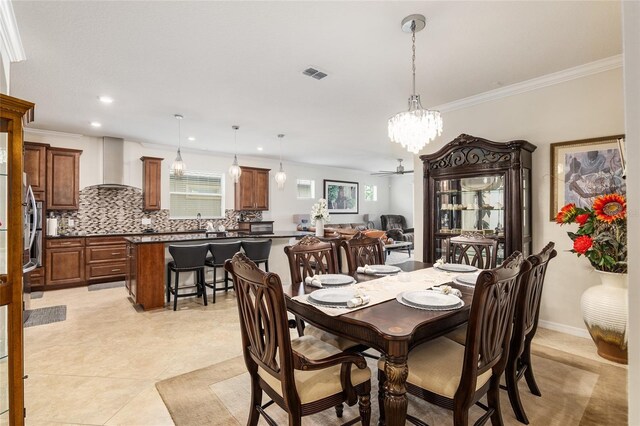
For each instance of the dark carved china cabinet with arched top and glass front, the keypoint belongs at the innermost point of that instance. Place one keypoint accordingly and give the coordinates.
(473, 185)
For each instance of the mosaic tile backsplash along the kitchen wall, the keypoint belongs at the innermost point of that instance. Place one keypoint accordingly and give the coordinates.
(105, 211)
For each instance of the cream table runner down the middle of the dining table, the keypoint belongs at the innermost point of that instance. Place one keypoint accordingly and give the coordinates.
(388, 287)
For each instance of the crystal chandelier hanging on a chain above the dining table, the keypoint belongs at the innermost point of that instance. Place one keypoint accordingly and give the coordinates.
(415, 128)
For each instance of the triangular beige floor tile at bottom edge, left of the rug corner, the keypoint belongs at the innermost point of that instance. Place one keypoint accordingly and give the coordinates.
(146, 408)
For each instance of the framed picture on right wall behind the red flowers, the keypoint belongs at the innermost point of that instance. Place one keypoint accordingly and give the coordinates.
(584, 169)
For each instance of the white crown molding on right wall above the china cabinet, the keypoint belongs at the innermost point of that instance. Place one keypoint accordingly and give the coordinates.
(580, 71)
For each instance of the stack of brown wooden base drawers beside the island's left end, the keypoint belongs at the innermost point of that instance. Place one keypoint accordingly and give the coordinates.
(106, 259)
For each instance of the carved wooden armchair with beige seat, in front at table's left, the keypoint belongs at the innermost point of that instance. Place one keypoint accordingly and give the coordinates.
(304, 375)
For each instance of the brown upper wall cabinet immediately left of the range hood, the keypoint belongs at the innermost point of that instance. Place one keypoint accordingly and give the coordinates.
(63, 178)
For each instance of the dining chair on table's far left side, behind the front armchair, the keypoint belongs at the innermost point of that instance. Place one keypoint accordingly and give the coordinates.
(309, 257)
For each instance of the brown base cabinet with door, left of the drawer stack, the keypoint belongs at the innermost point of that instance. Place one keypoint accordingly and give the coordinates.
(65, 262)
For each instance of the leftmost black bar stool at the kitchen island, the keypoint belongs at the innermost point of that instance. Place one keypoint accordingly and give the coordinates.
(187, 258)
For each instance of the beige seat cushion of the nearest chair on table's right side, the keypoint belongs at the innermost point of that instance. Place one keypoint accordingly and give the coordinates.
(436, 366)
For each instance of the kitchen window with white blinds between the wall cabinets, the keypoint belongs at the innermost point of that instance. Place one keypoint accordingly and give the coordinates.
(196, 192)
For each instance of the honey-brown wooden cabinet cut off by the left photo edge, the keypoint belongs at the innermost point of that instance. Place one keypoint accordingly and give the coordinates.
(13, 114)
